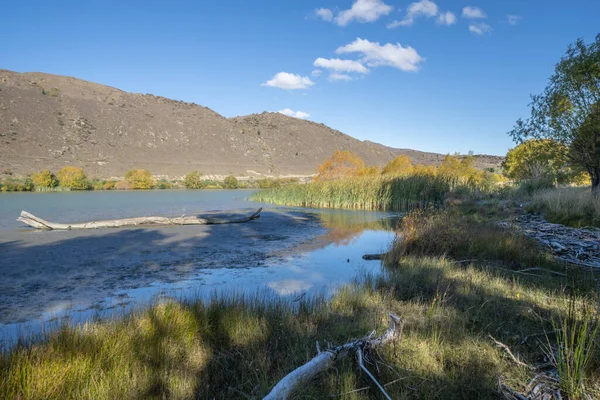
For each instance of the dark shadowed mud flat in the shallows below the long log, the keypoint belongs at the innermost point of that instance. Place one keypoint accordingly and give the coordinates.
(47, 271)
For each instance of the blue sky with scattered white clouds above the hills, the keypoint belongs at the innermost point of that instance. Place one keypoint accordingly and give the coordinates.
(445, 76)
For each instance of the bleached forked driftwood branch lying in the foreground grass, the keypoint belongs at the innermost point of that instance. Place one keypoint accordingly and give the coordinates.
(325, 360)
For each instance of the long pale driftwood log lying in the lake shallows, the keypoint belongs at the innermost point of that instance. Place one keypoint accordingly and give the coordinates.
(39, 223)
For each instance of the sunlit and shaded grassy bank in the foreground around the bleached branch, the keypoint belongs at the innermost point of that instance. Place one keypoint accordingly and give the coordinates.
(240, 347)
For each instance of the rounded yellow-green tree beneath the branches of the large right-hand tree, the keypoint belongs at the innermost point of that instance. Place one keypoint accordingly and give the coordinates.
(538, 160)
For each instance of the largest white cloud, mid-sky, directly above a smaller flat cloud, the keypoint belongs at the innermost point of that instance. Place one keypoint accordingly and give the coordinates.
(391, 55)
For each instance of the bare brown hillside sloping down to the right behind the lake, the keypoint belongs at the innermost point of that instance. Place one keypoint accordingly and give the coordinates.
(49, 121)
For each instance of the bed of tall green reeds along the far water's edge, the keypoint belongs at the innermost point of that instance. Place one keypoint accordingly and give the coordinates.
(369, 193)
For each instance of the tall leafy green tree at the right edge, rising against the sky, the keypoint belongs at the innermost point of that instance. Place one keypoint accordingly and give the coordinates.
(568, 111)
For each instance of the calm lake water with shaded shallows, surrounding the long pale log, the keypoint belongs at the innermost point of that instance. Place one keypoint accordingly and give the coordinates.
(50, 276)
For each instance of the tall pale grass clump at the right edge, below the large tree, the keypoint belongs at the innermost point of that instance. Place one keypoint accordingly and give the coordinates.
(573, 206)
